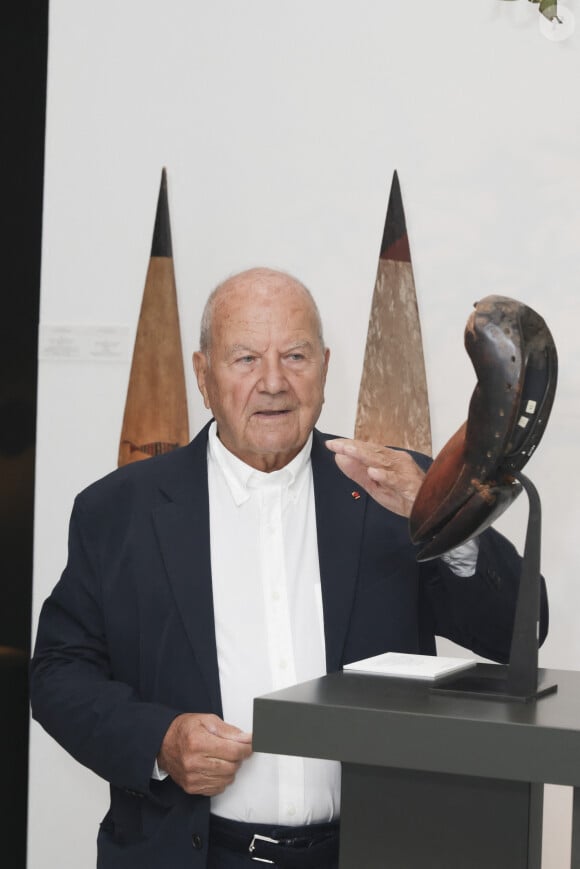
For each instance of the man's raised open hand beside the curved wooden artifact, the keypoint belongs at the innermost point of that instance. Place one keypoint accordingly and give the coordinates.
(391, 477)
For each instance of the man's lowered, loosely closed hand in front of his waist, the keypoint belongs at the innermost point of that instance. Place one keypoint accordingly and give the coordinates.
(202, 753)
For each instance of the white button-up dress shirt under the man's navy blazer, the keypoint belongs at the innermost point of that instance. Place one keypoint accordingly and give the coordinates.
(269, 627)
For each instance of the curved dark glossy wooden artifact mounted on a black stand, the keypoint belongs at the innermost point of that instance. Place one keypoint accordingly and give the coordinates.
(471, 482)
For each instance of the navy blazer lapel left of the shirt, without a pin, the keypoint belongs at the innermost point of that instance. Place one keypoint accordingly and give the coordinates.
(182, 525)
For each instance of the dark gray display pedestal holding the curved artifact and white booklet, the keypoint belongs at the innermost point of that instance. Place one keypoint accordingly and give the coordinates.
(431, 781)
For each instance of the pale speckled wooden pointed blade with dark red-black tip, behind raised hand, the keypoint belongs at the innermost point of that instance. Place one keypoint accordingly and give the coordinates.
(393, 405)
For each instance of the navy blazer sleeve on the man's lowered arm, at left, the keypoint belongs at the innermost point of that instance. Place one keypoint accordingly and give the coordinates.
(98, 719)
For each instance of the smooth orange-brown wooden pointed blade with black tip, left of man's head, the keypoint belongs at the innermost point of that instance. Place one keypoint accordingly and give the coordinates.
(155, 418)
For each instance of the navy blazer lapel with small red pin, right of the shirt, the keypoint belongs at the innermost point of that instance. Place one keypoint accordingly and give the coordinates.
(340, 512)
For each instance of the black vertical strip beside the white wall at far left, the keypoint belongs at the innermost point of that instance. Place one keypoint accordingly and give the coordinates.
(23, 60)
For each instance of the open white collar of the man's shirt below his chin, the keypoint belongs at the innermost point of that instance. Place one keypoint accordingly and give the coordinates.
(241, 477)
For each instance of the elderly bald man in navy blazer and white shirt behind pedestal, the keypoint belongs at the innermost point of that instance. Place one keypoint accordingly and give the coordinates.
(240, 564)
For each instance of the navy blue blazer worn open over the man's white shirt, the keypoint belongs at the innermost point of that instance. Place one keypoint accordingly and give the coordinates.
(126, 640)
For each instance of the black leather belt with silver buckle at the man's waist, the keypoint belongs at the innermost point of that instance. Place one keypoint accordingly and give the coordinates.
(309, 847)
